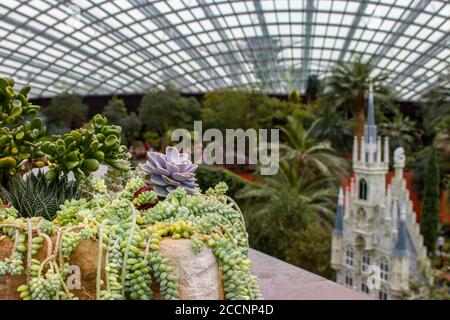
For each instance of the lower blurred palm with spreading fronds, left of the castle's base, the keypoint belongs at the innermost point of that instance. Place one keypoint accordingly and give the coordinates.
(291, 200)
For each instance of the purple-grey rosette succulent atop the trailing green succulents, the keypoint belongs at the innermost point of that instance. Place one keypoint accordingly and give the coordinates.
(166, 172)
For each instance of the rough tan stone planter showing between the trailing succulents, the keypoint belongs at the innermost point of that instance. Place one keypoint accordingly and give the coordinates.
(198, 274)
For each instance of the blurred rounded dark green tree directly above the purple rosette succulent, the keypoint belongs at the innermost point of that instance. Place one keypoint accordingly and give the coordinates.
(161, 110)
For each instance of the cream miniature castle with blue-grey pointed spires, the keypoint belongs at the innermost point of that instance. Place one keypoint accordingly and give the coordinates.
(376, 233)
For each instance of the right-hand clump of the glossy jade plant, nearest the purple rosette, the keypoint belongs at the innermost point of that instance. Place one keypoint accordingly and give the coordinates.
(82, 151)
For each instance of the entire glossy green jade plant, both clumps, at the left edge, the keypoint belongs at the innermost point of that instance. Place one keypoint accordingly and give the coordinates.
(24, 144)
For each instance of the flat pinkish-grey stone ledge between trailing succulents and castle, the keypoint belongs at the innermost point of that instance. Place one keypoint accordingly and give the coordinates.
(279, 280)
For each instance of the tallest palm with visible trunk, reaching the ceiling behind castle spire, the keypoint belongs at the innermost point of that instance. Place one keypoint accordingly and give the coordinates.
(347, 86)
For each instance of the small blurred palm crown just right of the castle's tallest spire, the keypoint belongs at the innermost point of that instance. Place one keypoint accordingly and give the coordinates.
(402, 132)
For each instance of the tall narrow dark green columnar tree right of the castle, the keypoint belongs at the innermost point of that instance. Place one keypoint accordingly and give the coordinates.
(430, 205)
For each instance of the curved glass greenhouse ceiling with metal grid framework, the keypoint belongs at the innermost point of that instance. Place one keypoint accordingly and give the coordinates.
(126, 46)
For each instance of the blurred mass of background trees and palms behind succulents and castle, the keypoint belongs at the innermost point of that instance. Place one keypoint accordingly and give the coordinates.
(290, 215)
